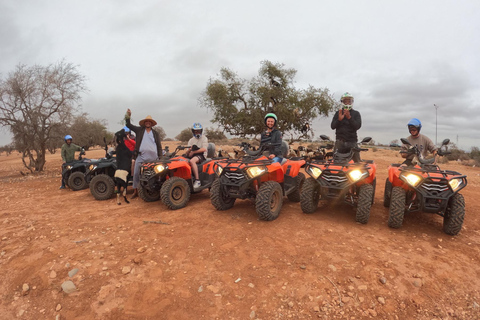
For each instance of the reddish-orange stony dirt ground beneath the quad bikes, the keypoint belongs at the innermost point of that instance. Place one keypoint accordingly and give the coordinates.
(144, 261)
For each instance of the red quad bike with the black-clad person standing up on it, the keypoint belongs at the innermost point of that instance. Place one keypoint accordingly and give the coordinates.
(340, 178)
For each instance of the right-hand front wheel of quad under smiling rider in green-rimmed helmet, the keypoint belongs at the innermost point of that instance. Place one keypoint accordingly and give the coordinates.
(268, 202)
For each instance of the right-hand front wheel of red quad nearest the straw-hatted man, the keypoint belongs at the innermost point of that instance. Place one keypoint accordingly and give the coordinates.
(175, 193)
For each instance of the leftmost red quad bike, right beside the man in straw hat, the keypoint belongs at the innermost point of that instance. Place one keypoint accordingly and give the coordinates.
(171, 179)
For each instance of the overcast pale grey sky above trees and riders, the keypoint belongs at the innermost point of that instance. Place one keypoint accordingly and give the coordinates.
(397, 58)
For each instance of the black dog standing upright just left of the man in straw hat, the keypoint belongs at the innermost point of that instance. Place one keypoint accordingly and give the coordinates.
(124, 164)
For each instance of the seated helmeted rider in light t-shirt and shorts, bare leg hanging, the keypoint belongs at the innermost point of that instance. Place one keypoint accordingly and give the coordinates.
(198, 151)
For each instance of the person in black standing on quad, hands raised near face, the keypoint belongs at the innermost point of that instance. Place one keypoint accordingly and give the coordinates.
(346, 123)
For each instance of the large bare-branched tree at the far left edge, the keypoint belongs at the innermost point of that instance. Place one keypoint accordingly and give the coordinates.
(34, 101)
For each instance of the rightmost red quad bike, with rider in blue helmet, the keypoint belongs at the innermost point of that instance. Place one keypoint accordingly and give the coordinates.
(420, 185)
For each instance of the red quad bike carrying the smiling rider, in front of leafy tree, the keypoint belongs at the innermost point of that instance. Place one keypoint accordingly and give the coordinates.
(257, 178)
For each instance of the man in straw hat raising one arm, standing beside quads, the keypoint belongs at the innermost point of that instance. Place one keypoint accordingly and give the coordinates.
(148, 146)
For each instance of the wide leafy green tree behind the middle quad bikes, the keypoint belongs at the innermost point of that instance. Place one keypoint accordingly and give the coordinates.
(239, 106)
